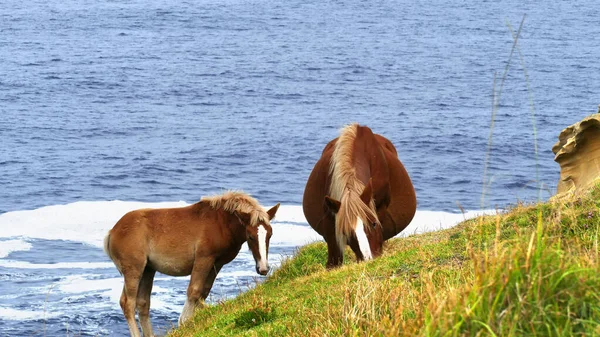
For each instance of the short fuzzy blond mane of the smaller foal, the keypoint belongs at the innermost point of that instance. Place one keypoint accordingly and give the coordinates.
(239, 201)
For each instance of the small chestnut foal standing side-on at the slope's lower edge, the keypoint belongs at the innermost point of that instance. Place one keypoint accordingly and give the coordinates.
(198, 240)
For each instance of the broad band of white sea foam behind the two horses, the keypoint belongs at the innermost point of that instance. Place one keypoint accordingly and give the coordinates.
(89, 221)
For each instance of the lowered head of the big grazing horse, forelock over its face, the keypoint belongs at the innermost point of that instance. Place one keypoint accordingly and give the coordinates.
(356, 222)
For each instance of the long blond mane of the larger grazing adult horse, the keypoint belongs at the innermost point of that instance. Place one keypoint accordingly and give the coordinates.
(345, 185)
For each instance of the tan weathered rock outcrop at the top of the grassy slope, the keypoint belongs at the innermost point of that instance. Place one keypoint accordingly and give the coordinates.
(578, 154)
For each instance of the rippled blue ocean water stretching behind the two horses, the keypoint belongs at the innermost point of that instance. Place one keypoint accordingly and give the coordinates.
(157, 100)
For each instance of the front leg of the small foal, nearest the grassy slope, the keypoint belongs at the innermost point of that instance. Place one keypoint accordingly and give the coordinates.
(202, 268)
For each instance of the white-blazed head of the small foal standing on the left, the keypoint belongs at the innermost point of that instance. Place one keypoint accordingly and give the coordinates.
(258, 237)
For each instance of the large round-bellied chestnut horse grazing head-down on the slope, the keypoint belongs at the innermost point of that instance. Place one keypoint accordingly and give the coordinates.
(358, 194)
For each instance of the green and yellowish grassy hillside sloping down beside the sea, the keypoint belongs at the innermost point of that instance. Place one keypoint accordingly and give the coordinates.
(531, 271)
